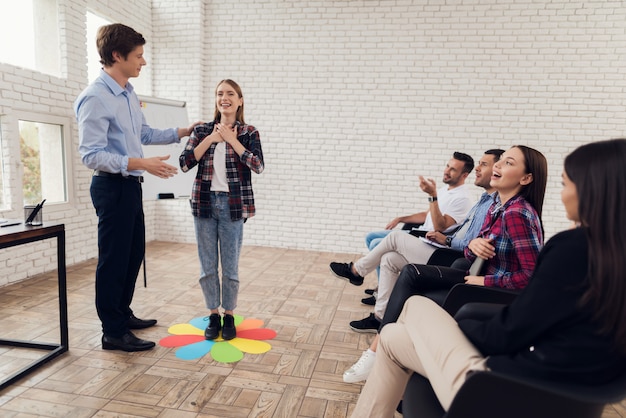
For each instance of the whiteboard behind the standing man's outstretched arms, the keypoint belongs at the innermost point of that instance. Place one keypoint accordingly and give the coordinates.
(163, 114)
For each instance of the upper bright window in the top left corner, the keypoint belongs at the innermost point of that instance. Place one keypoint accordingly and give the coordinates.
(30, 32)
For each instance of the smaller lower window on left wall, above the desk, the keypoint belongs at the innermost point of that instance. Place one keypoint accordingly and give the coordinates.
(44, 158)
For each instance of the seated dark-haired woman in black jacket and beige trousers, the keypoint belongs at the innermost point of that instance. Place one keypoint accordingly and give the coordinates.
(568, 324)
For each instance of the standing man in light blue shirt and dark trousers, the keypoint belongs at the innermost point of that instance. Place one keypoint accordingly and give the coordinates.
(111, 129)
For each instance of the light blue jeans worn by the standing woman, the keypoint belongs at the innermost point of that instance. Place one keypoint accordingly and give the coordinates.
(219, 239)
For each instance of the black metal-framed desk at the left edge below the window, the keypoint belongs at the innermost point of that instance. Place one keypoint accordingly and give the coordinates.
(21, 234)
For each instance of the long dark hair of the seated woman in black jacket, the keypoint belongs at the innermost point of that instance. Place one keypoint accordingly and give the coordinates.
(599, 172)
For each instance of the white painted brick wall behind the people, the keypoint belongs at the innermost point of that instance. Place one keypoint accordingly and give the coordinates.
(353, 100)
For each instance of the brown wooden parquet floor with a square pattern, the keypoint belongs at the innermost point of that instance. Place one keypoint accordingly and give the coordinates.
(293, 292)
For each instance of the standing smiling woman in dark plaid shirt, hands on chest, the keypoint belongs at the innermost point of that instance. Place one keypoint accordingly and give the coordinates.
(226, 152)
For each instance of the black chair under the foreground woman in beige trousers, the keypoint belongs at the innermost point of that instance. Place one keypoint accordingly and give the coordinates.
(493, 395)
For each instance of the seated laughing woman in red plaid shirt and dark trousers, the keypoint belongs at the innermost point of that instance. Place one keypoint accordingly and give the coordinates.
(509, 242)
